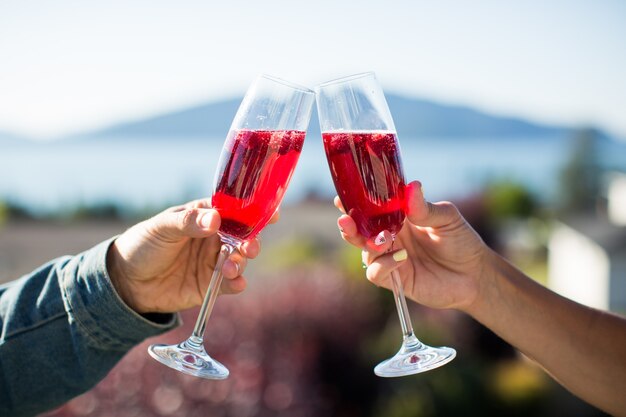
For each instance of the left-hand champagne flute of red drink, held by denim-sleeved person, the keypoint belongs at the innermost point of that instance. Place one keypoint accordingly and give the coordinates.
(256, 164)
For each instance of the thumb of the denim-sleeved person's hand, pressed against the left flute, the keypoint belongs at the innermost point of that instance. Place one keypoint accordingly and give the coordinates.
(189, 222)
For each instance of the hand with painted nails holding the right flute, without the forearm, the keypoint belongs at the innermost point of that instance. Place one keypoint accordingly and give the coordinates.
(437, 253)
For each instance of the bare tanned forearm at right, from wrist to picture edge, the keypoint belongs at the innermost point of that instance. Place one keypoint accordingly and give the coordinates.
(583, 348)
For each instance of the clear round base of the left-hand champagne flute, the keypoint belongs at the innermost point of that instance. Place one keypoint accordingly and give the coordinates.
(189, 358)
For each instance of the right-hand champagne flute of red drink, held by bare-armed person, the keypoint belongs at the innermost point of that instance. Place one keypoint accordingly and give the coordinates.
(363, 154)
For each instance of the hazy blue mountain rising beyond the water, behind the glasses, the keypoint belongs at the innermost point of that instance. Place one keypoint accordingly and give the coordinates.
(413, 118)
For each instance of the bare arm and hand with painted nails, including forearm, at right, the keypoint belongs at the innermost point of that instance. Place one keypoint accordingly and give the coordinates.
(443, 263)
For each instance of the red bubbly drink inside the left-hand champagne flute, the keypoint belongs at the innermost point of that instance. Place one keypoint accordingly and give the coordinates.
(253, 174)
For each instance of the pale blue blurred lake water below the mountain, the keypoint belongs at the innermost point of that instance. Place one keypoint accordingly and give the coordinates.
(140, 173)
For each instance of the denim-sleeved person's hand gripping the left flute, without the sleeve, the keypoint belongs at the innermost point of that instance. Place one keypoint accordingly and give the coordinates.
(164, 264)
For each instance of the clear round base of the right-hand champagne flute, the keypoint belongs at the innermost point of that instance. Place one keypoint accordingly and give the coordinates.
(414, 358)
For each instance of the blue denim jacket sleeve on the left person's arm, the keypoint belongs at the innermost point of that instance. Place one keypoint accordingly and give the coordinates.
(63, 327)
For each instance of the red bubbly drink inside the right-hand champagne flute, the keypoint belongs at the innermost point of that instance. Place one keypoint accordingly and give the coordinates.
(368, 176)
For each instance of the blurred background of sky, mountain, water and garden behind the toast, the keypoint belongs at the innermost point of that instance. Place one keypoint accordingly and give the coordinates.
(516, 111)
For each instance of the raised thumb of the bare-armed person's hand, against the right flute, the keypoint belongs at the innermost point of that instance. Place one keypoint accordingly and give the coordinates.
(424, 213)
